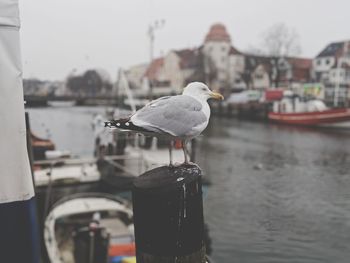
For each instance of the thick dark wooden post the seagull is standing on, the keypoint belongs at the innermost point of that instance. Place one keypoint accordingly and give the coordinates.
(168, 215)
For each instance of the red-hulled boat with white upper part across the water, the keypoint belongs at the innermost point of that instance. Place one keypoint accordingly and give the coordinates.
(295, 110)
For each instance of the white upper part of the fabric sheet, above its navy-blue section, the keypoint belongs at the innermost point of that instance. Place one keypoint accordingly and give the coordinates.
(15, 175)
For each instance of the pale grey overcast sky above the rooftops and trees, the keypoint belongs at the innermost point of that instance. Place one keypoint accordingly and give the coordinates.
(60, 35)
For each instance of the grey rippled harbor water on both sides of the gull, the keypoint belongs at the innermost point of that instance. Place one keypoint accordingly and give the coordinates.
(278, 193)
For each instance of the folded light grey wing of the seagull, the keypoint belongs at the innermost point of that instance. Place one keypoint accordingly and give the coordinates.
(176, 115)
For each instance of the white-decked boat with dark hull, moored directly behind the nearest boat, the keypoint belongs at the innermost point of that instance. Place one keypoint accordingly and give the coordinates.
(54, 179)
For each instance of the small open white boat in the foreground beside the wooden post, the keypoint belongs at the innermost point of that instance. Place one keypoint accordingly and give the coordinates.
(90, 227)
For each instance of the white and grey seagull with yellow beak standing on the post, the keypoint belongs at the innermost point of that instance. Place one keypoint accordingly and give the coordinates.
(181, 117)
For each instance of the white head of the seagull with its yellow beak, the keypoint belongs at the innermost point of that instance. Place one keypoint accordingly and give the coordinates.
(201, 91)
